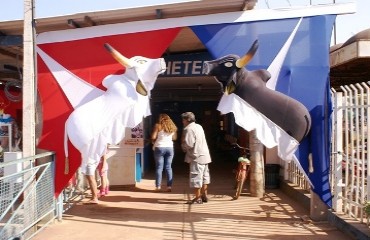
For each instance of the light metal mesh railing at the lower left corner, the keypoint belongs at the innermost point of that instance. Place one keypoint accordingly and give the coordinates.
(27, 202)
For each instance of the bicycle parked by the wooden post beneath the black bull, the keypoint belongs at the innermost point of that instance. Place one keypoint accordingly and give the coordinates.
(242, 172)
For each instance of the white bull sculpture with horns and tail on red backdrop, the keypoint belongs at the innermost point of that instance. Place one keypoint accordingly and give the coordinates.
(103, 120)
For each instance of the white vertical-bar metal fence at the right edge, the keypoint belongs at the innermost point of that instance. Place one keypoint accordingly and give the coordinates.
(349, 159)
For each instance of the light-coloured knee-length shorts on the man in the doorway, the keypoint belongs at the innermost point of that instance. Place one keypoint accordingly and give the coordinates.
(199, 175)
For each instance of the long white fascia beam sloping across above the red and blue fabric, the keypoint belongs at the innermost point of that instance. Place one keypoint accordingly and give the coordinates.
(232, 17)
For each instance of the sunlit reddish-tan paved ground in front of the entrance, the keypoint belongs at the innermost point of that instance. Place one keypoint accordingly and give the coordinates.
(139, 213)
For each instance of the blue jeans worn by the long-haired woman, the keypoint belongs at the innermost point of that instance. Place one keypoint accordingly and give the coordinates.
(163, 159)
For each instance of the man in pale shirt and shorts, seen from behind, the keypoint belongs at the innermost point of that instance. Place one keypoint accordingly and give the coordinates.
(194, 144)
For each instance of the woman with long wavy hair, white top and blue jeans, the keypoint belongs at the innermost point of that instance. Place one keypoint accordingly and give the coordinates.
(163, 135)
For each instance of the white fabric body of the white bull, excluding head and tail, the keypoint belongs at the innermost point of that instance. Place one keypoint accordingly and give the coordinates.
(103, 120)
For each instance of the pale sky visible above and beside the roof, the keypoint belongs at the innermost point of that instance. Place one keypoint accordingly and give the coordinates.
(346, 25)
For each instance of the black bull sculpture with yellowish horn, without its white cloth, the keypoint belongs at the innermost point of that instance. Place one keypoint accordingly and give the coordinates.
(286, 112)
